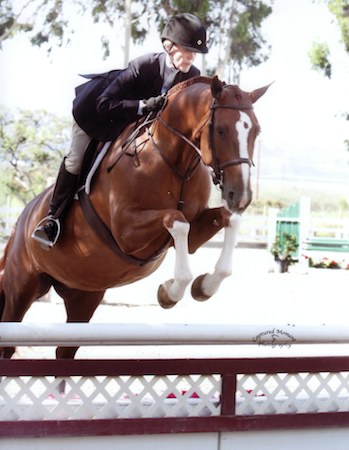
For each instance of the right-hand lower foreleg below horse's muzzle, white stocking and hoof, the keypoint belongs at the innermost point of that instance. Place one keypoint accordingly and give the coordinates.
(206, 285)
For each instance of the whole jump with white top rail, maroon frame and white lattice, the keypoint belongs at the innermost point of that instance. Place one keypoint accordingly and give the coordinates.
(154, 403)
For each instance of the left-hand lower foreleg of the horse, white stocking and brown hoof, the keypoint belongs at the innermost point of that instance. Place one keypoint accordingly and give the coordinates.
(173, 290)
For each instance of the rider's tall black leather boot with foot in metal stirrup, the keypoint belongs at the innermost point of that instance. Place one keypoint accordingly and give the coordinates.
(48, 230)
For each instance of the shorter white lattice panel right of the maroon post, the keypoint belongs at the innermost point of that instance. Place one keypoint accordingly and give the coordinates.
(284, 393)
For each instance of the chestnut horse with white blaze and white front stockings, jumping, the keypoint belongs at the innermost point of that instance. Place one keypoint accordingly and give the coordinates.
(151, 192)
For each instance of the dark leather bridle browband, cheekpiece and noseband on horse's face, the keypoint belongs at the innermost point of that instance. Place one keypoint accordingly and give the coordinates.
(219, 166)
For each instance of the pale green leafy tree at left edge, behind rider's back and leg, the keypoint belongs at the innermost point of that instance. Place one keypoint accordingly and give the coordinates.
(32, 144)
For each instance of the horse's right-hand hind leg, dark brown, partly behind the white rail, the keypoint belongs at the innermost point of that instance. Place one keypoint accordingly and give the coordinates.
(80, 306)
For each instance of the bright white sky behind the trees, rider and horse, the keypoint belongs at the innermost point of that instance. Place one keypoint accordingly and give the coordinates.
(300, 115)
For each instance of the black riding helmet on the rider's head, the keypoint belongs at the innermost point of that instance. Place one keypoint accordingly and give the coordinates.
(186, 30)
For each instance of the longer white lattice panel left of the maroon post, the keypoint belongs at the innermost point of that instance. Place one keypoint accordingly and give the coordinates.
(102, 397)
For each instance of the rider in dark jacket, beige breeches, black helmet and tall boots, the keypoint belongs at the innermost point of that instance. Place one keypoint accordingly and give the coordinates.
(107, 103)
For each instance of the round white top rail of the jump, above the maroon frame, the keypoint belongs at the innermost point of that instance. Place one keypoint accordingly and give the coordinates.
(93, 334)
